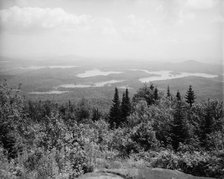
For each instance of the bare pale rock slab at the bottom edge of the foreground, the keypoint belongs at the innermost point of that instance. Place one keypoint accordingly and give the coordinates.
(134, 173)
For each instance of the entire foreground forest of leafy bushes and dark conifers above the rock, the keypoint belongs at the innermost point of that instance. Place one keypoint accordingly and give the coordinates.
(43, 139)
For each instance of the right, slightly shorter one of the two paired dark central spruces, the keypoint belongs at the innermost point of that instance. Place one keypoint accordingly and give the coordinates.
(125, 106)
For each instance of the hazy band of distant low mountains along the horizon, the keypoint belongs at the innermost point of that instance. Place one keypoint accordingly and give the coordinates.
(192, 66)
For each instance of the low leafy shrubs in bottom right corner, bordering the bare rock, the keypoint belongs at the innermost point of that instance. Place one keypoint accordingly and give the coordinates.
(196, 163)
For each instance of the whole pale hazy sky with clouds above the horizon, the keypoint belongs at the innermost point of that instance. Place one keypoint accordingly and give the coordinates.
(146, 29)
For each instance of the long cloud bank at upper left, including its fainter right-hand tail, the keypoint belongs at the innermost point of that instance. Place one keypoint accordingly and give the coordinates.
(34, 19)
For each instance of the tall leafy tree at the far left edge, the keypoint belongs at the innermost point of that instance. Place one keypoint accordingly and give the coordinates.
(12, 120)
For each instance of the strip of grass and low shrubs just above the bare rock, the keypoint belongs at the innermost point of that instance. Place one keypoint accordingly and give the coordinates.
(207, 164)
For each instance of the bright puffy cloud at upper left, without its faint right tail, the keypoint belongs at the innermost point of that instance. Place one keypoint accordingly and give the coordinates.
(27, 18)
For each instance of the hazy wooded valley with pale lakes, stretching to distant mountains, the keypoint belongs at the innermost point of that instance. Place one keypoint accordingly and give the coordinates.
(81, 78)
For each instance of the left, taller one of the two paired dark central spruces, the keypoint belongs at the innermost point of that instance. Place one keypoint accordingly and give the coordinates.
(115, 113)
